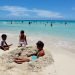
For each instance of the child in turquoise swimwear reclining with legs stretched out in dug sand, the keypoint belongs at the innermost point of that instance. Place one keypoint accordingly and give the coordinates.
(40, 53)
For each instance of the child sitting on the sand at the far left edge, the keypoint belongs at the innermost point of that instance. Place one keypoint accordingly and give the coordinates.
(4, 46)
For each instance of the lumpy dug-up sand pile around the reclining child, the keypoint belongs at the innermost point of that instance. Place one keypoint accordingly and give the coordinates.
(8, 67)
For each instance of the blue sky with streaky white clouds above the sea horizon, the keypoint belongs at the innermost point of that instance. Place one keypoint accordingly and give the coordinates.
(37, 9)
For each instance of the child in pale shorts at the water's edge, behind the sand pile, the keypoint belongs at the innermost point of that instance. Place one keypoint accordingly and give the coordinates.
(22, 39)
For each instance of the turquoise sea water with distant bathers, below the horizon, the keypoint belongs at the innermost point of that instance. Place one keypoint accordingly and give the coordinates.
(58, 28)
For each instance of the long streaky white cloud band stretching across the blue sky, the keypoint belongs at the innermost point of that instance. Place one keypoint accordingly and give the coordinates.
(24, 12)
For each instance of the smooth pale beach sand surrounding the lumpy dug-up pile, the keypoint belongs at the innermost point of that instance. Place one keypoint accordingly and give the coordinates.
(63, 54)
